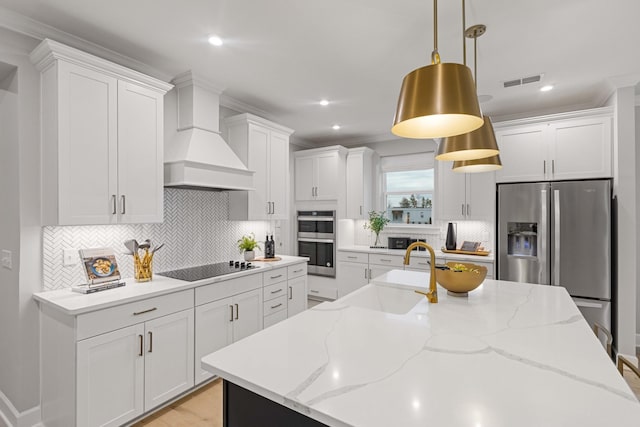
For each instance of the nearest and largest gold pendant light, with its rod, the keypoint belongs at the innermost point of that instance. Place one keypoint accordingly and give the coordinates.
(438, 100)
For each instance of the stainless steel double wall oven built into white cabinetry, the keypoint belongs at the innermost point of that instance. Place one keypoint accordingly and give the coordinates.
(317, 241)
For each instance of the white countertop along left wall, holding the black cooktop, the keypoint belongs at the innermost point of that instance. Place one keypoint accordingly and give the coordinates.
(74, 303)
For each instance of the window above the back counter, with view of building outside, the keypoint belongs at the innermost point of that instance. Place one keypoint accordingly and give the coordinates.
(408, 189)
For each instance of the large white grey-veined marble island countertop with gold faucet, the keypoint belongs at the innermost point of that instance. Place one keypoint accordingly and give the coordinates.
(511, 354)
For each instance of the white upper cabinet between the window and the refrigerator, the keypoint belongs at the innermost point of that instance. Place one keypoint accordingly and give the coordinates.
(465, 196)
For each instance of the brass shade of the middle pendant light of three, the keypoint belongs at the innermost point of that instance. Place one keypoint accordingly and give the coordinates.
(480, 143)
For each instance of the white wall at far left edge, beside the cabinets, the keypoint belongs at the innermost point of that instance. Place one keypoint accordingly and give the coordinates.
(20, 232)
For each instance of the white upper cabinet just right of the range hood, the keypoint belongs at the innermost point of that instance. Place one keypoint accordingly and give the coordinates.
(263, 147)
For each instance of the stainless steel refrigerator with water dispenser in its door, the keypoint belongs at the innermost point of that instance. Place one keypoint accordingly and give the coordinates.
(559, 233)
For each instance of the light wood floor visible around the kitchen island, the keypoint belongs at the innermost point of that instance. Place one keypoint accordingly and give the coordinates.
(203, 408)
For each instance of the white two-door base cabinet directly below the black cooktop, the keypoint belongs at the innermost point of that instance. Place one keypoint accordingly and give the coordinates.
(226, 312)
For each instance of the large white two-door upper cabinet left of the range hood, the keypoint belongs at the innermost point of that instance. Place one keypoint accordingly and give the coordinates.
(102, 139)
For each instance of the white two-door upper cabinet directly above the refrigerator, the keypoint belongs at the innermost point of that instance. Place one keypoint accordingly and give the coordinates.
(575, 146)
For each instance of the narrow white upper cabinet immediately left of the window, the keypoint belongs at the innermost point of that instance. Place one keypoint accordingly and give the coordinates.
(361, 182)
